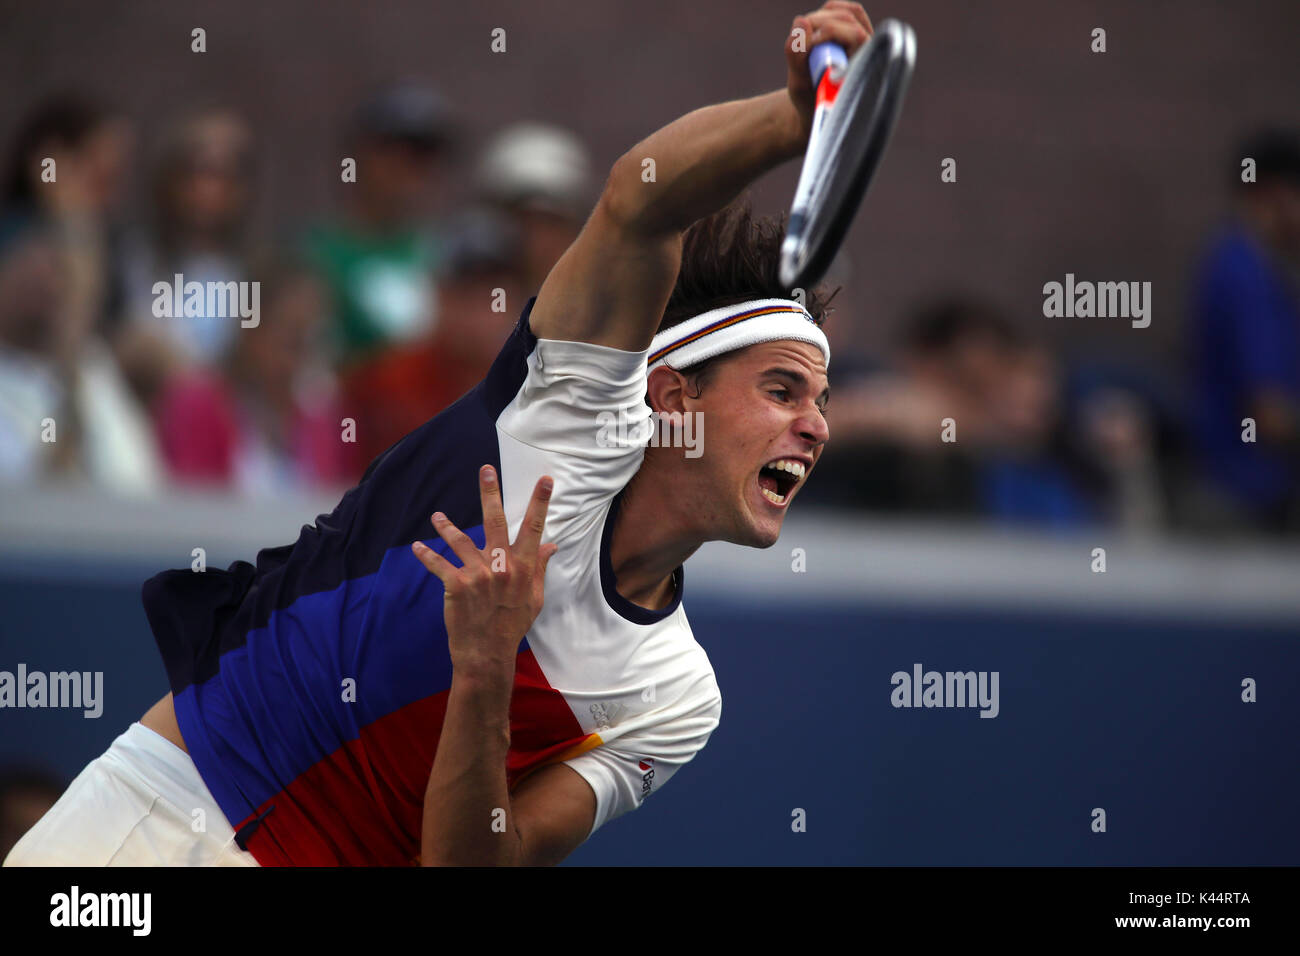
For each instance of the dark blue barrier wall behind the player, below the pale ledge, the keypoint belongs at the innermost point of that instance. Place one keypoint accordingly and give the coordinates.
(1138, 716)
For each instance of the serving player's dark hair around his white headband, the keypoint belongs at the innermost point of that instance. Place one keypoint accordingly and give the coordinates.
(727, 258)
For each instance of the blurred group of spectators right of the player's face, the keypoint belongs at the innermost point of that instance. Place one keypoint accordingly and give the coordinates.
(1043, 439)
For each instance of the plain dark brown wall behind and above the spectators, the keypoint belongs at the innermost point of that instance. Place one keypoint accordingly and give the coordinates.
(1110, 166)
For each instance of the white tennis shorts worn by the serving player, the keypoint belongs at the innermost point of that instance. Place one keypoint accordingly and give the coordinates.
(140, 804)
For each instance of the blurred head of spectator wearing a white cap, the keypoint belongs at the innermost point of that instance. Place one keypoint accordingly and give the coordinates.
(541, 176)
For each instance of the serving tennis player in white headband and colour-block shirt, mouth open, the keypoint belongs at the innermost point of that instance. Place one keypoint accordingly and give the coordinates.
(356, 699)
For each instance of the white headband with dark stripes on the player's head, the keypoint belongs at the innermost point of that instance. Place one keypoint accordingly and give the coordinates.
(735, 327)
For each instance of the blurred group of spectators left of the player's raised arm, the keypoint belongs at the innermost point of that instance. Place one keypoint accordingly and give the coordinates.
(369, 323)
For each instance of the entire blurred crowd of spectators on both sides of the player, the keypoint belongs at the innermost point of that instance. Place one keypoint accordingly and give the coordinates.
(387, 310)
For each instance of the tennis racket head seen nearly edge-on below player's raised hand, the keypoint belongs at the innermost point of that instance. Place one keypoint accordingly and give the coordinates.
(853, 139)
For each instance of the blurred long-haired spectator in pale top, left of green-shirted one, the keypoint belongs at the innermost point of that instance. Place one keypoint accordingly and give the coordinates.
(202, 197)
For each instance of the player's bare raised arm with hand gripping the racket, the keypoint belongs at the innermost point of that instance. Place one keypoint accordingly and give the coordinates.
(613, 284)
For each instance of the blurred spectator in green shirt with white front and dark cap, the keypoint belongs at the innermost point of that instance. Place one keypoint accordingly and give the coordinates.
(379, 261)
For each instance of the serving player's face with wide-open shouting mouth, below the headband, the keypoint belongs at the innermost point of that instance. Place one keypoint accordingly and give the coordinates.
(764, 432)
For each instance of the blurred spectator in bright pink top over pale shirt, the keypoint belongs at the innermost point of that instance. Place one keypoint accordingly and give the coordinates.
(266, 421)
